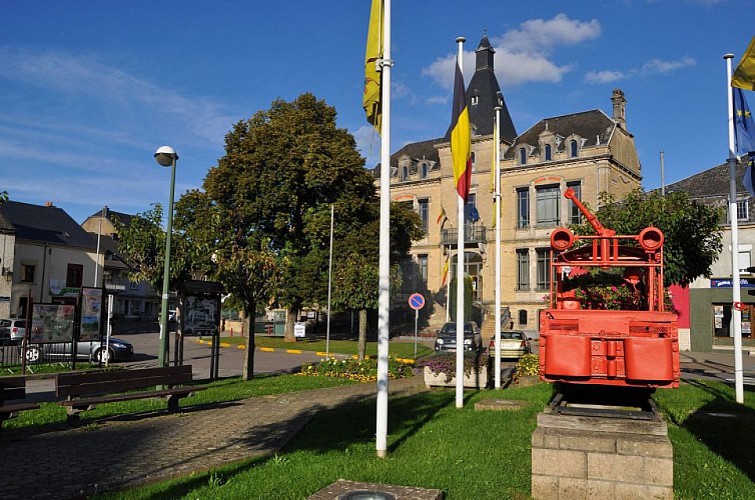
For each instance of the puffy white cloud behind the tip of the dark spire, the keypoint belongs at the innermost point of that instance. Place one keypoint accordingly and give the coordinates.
(524, 54)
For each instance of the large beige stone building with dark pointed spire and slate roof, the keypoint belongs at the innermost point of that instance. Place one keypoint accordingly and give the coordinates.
(588, 151)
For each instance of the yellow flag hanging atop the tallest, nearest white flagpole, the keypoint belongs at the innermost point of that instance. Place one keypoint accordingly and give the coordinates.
(372, 77)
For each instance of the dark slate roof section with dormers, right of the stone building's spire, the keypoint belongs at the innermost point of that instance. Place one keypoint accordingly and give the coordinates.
(591, 125)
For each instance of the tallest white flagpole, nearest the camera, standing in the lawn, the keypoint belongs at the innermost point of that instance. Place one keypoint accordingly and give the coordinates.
(384, 300)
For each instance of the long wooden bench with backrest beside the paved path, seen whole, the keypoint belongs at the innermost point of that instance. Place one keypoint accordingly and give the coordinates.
(83, 391)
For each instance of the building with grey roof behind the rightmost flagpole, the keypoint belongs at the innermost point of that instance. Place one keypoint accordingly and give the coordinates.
(705, 307)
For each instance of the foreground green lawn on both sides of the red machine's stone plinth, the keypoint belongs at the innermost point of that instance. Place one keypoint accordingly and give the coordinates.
(471, 454)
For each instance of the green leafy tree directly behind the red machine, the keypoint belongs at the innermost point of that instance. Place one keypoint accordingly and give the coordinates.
(692, 234)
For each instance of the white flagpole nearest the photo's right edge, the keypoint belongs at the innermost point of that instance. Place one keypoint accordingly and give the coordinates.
(736, 314)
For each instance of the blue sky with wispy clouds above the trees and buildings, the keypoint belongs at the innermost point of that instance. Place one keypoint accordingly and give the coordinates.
(89, 89)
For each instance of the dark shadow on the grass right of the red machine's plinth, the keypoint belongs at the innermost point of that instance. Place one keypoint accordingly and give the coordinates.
(725, 427)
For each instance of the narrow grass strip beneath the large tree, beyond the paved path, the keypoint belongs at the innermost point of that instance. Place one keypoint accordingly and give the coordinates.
(399, 349)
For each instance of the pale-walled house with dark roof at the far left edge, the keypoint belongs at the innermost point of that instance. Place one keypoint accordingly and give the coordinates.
(47, 257)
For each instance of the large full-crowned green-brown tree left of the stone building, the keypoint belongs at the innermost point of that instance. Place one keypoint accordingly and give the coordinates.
(282, 170)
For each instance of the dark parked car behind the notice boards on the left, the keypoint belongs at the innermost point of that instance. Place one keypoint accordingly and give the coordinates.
(93, 350)
